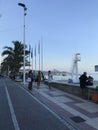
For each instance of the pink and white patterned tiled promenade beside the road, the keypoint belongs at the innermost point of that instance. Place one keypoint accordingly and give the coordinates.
(81, 113)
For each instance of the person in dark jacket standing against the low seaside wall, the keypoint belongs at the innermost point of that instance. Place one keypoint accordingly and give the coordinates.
(83, 83)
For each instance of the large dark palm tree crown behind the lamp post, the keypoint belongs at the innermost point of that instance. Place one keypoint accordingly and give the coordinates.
(14, 56)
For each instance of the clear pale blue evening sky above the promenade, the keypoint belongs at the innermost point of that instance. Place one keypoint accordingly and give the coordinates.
(66, 27)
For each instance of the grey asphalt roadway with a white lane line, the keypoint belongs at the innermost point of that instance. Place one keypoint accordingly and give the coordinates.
(20, 110)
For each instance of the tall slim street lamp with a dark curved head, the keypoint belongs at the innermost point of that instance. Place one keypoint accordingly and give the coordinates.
(24, 7)
